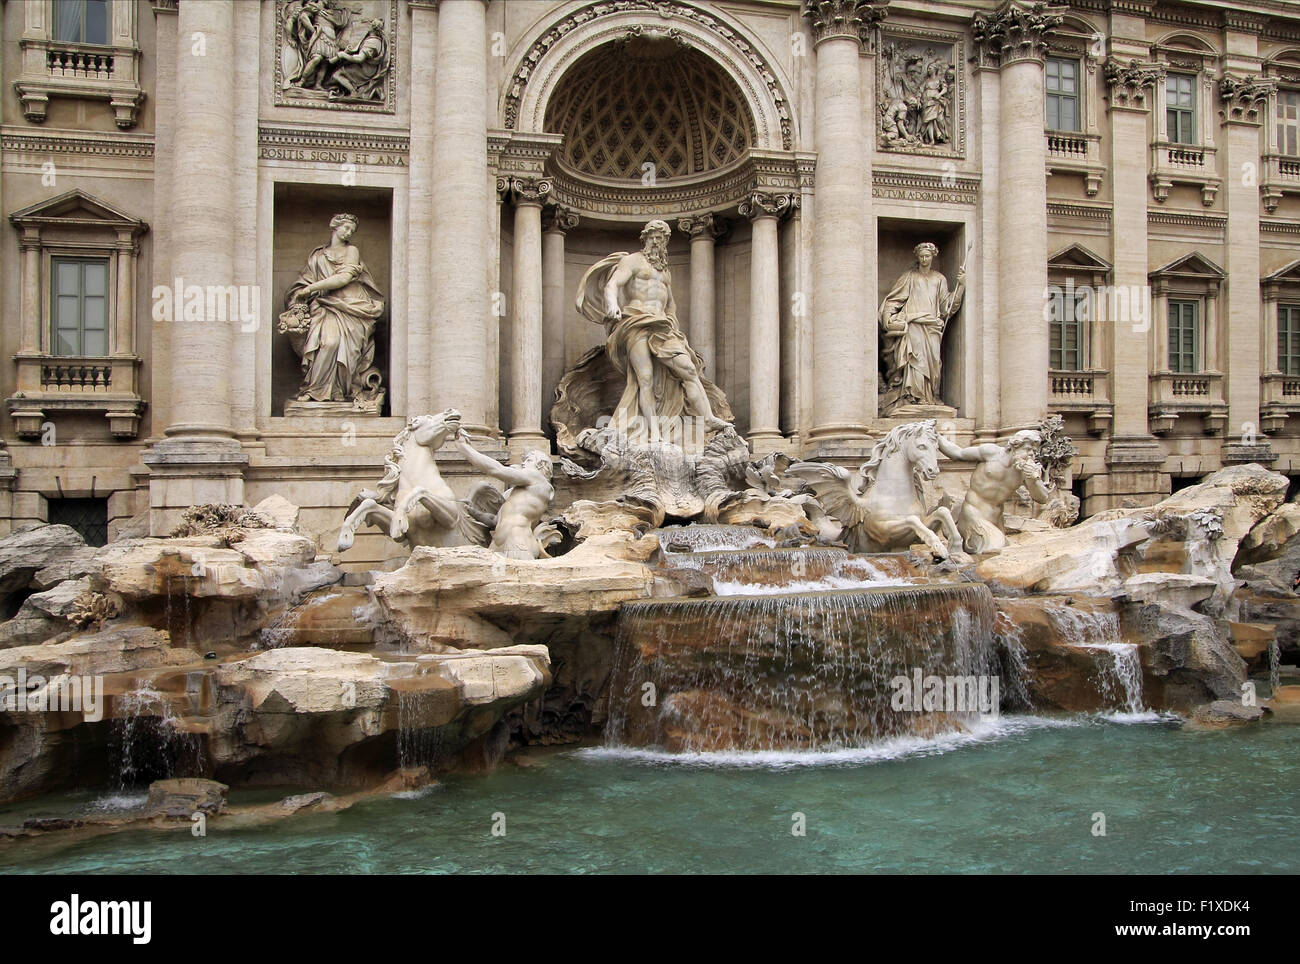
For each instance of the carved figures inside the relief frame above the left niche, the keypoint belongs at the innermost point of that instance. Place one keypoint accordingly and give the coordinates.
(333, 54)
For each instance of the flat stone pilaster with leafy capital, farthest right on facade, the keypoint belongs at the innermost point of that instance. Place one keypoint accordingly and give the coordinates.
(1245, 106)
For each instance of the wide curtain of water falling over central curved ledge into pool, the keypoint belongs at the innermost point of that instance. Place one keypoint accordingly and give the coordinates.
(808, 671)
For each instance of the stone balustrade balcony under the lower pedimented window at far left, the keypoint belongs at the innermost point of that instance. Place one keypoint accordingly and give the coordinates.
(50, 385)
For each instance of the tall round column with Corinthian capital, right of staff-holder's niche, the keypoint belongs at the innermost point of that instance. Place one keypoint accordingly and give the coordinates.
(1016, 37)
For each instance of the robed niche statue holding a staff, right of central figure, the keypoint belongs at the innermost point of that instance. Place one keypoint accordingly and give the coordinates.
(913, 318)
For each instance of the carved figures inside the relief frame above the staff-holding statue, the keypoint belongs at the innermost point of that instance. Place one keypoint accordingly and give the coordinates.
(917, 90)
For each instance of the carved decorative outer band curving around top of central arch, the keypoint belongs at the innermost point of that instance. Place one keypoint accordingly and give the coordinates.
(662, 11)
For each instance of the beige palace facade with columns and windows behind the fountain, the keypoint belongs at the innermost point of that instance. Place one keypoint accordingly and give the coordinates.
(1116, 181)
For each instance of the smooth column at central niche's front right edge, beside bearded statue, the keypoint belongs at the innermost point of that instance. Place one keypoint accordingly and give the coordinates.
(765, 319)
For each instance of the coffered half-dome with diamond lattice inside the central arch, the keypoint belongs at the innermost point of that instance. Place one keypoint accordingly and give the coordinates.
(649, 106)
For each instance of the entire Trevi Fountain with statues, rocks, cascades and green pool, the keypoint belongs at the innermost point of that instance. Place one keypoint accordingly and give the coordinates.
(699, 637)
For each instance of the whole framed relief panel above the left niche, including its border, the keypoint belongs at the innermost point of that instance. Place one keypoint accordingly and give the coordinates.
(337, 54)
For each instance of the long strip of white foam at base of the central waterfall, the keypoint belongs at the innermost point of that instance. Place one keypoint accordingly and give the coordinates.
(896, 749)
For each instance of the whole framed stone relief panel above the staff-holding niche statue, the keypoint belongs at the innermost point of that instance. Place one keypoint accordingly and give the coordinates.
(920, 94)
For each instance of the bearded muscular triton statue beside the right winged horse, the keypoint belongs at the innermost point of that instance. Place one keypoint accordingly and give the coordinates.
(999, 474)
